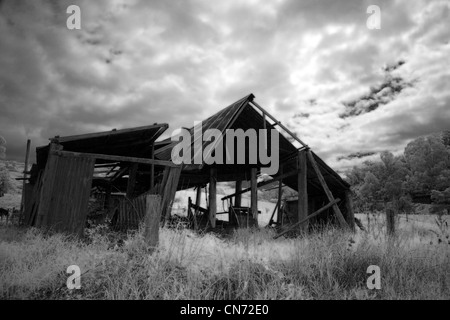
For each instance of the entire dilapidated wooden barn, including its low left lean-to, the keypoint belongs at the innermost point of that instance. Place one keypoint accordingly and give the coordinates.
(123, 167)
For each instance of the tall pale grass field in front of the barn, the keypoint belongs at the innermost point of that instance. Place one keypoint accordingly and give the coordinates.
(248, 265)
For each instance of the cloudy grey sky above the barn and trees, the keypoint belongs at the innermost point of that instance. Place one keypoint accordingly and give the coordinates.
(315, 65)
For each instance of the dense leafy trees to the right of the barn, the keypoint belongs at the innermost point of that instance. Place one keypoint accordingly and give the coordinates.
(422, 171)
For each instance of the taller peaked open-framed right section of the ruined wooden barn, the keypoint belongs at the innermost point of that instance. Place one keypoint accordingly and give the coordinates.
(299, 168)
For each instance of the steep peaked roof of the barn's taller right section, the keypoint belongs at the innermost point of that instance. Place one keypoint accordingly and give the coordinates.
(243, 114)
